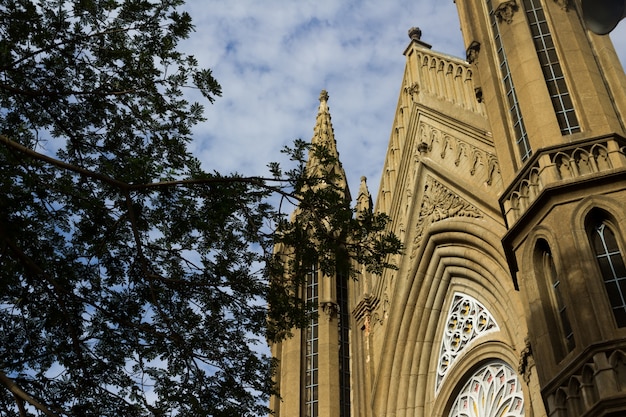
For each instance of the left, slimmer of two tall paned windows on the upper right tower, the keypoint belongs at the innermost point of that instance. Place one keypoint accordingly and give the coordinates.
(521, 136)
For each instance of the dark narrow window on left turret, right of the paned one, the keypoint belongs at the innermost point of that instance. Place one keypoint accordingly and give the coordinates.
(344, 344)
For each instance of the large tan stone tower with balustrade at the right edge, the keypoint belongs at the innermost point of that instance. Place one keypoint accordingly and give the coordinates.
(555, 97)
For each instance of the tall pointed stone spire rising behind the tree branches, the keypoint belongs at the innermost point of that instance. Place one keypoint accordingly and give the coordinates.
(324, 135)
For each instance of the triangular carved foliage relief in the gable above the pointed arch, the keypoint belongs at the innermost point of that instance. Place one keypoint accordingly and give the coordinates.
(440, 203)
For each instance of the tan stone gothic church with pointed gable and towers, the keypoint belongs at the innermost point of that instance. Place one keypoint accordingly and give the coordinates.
(505, 178)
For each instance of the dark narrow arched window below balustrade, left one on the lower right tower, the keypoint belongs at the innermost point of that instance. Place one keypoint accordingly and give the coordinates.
(550, 274)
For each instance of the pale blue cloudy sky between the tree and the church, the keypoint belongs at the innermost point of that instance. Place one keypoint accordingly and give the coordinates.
(273, 57)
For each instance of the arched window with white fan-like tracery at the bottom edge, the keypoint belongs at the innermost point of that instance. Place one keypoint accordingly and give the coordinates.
(493, 391)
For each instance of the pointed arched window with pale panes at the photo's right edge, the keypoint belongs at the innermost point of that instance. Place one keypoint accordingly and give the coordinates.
(611, 264)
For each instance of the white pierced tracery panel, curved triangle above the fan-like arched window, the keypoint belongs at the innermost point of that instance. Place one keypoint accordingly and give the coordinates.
(467, 320)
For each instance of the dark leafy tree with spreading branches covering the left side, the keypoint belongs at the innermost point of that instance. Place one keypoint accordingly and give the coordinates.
(132, 281)
